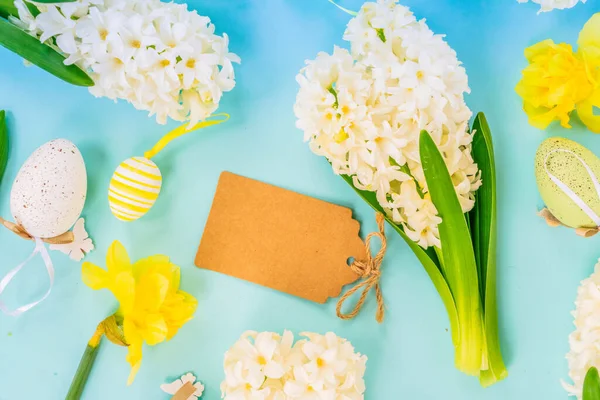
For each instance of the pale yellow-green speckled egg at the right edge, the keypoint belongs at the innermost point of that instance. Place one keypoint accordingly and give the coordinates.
(572, 173)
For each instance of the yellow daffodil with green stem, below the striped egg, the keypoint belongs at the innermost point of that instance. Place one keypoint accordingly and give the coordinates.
(151, 306)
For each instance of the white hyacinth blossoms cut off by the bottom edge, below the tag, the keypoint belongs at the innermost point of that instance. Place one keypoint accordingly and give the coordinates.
(268, 366)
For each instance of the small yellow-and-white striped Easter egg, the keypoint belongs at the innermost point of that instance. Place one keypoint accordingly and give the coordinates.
(134, 188)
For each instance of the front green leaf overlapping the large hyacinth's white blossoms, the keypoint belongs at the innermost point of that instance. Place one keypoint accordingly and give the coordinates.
(459, 262)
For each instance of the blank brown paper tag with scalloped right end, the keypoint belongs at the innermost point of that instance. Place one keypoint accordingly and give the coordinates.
(280, 239)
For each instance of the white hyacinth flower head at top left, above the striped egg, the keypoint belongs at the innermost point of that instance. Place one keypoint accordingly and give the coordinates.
(158, 56)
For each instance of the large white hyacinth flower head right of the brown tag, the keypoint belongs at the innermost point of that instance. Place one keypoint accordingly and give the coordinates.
(364, 111)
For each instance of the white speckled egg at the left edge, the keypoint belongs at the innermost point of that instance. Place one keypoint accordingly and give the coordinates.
(49, 191)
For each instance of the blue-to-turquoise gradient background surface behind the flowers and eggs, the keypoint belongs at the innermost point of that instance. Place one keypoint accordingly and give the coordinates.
(410, 354)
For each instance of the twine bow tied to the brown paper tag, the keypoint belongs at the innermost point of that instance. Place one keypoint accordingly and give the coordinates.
(370, 272)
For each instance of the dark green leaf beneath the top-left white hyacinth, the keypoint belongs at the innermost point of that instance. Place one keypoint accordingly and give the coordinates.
(40, 54)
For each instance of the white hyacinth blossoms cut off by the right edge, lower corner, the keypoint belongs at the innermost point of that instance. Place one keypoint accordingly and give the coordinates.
(583, 342)
